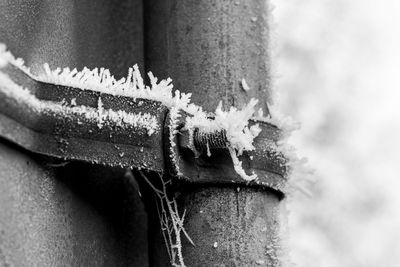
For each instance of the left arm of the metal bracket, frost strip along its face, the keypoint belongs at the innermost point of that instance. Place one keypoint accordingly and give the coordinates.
(73, 136)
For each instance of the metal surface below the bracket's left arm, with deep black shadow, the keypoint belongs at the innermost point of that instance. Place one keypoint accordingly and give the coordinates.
(77, 214)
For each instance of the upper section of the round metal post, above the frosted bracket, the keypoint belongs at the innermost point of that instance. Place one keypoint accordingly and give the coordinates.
(208, 47)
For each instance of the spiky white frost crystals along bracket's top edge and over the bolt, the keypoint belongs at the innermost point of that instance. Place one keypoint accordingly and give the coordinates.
(235, 122)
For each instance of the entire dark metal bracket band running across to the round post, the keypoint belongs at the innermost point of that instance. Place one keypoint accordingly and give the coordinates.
(61, 133)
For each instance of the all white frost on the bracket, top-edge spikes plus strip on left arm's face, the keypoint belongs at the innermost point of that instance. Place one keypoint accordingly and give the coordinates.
(235, 122)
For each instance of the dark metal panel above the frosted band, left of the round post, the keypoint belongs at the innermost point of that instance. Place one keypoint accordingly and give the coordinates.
(105, 33)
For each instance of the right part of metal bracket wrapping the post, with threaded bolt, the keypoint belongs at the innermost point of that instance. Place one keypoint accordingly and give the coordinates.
(192, 163)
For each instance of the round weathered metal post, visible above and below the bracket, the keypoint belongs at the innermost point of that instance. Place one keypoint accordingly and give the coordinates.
(207, 48)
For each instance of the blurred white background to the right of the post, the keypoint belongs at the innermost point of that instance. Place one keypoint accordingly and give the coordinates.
(337, 68)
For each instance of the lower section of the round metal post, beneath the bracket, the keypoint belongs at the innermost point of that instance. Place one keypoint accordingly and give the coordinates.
(231, 226)
